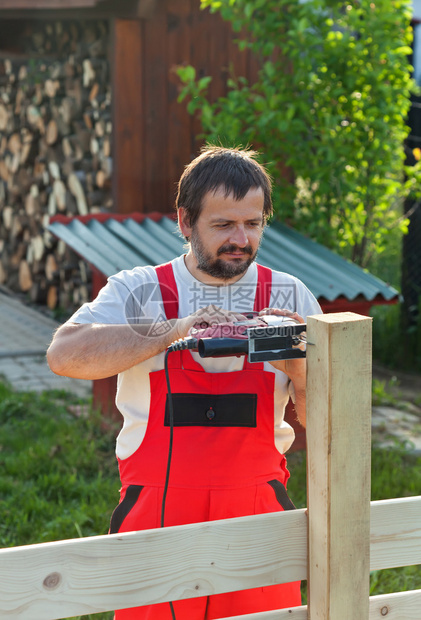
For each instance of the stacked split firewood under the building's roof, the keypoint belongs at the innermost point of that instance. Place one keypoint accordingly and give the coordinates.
(55, 154)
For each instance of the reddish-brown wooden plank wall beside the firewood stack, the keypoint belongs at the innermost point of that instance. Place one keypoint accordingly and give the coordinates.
(163, 136)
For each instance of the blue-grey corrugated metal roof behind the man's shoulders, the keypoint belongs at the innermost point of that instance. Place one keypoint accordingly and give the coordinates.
(114, 243)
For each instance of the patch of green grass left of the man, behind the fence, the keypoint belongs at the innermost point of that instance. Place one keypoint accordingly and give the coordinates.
(59, 476)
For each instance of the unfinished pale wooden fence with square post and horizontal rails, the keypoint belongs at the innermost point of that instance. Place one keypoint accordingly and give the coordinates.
(334, 544)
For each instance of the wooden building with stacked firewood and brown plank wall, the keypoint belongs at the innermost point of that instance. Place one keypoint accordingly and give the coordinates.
(90, 123)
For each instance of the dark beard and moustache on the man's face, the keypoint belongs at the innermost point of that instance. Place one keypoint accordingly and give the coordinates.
(217, 267)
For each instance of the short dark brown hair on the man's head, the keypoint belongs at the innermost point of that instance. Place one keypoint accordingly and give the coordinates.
(233, 169)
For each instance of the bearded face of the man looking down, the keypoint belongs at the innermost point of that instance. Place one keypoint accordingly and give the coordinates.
(226, 236)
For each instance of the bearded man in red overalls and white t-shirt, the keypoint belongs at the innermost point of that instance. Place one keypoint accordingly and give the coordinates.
(229, 435)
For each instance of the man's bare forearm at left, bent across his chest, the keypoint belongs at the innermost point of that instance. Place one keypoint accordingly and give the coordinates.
(94, 351)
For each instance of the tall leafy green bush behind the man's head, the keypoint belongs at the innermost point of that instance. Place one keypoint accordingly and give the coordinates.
(328, 110)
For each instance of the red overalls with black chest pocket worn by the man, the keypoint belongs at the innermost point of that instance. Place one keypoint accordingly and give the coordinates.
(224, 463)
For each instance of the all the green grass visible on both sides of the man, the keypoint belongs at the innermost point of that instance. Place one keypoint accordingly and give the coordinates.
(59, 477)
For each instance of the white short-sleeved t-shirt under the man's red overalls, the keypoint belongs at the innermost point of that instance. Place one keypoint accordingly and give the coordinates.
(134, 296)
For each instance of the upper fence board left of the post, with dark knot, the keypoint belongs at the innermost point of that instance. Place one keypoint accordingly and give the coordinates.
(69, 578)
